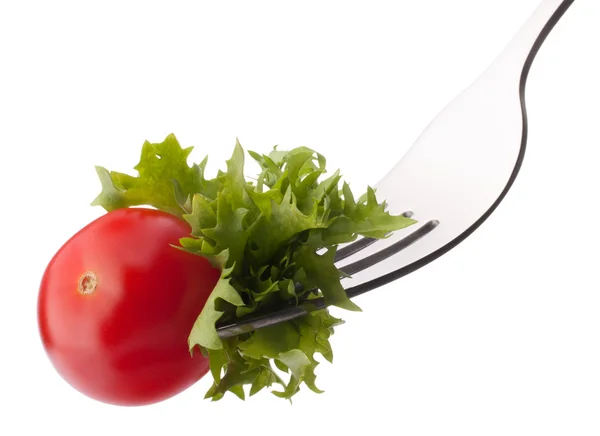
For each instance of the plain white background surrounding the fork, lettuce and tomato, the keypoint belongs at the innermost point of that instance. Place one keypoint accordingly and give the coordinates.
(500, 336)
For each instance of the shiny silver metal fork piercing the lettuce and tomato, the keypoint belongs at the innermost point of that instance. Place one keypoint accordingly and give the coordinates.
(463, 164)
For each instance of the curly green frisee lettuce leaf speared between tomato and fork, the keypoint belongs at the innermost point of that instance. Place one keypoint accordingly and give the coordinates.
(274, 239)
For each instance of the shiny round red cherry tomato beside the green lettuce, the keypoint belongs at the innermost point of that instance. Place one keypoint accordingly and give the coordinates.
(117, 303)
